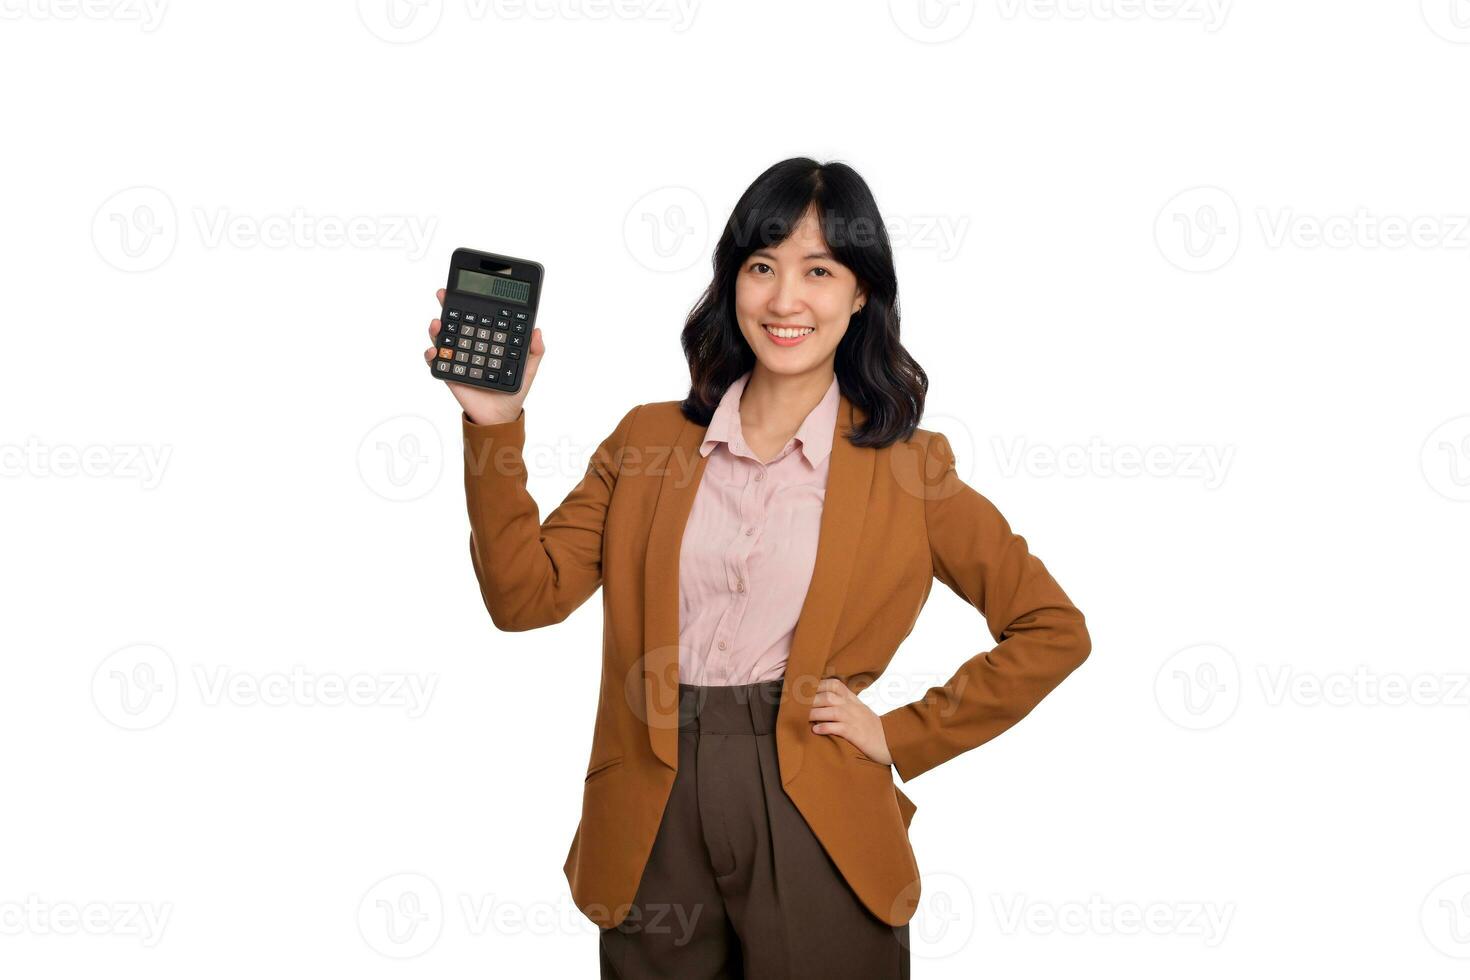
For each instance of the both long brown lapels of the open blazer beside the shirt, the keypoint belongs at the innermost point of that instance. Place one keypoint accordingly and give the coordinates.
(850, 478)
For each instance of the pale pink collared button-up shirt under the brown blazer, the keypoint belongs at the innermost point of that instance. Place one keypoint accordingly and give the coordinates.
(750, 547)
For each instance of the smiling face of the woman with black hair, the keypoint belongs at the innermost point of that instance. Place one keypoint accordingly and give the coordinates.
(795, 300)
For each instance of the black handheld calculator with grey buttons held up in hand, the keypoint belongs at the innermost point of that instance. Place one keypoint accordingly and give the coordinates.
(490, 306)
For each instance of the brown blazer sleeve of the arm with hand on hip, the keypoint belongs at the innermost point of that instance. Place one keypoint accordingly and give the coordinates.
(1040, 635)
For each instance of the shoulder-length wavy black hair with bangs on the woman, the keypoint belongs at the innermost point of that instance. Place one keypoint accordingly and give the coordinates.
(872, 367)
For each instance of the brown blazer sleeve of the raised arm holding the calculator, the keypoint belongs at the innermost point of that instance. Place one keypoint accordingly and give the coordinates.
(534, 572)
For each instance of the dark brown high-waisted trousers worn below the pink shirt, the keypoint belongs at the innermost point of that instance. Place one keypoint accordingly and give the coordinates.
(737, 885)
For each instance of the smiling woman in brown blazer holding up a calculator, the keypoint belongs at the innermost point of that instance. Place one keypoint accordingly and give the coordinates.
(764, 547)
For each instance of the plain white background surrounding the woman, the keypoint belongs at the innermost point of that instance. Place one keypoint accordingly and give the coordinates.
(1227, 240)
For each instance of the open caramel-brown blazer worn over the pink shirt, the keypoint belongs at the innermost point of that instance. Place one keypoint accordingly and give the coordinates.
(893, 521)
